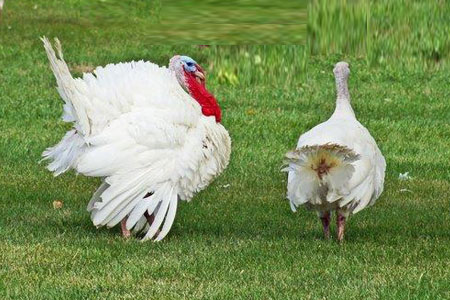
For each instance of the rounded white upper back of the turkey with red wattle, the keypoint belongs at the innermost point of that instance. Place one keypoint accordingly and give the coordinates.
(118, 89)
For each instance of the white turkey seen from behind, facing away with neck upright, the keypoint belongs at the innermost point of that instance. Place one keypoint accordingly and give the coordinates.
(337, 165)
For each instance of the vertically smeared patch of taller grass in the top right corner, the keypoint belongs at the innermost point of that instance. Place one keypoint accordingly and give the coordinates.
(400, 33)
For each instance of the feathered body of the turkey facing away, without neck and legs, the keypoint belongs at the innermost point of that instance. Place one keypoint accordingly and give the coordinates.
(360, 179)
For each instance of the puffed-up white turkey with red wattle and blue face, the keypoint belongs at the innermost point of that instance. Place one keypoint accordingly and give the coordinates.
(152, 133)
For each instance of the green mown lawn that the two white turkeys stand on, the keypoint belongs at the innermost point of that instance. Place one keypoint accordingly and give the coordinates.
(238, 239)
